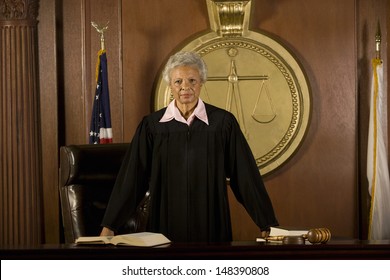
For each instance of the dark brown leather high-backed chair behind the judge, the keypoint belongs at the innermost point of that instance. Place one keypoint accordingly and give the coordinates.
(87, 175)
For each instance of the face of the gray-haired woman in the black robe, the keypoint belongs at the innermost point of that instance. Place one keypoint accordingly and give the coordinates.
(185, 85)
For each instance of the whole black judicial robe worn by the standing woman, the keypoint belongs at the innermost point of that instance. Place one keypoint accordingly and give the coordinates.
(185, 169)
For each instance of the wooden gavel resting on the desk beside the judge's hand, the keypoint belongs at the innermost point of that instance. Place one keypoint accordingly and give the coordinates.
(314, 236)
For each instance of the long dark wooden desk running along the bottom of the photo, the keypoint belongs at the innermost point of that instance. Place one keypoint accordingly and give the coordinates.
(335, 249)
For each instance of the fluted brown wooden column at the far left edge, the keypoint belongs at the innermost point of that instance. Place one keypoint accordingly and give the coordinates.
(20, 179)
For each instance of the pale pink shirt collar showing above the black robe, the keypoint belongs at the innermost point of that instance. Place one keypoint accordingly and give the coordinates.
(172, 112)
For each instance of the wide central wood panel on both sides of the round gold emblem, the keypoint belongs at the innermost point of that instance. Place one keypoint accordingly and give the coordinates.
(318, 186)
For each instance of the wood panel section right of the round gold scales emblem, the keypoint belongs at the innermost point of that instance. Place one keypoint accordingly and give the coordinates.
(318, 186)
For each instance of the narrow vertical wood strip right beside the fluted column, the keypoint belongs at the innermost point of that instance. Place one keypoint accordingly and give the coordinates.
(50, 79)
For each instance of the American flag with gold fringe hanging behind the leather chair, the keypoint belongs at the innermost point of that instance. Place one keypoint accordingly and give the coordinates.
(101, 130)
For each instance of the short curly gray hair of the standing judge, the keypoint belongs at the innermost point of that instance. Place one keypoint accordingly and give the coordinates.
(184, 58)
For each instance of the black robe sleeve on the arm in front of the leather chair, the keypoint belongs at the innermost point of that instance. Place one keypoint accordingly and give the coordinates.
(132, 181)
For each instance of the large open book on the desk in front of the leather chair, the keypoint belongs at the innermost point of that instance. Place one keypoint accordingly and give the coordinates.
(139, 239)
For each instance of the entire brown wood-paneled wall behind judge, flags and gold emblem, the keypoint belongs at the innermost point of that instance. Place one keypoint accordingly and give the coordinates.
(319, 186)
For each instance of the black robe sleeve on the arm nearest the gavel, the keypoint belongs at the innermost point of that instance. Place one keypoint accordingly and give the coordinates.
(245, 179)
